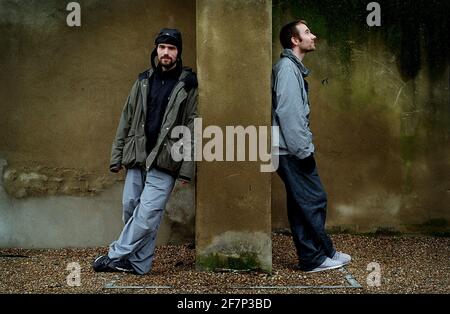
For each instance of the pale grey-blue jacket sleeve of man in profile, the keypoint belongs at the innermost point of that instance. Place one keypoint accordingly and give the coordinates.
(291, 111)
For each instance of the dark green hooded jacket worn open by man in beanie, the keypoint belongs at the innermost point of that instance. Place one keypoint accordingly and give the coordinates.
(128, 148)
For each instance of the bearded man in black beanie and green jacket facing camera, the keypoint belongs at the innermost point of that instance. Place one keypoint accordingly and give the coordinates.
(163, 97)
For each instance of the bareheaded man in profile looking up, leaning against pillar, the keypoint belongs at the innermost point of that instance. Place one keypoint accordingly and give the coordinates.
(306, 197)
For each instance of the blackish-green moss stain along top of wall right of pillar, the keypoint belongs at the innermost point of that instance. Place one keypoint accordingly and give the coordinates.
(406, 26)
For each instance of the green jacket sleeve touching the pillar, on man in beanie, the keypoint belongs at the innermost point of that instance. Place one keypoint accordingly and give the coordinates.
(187, 170)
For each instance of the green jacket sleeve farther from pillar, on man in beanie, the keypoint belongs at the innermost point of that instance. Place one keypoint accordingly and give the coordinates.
(124, 126)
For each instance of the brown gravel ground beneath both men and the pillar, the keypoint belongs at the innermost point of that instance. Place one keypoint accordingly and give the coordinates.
(407, 265)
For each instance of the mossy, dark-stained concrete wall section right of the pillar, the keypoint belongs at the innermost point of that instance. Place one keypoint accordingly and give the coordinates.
(380, 114)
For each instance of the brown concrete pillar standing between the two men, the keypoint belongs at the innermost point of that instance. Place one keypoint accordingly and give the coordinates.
(233, 217)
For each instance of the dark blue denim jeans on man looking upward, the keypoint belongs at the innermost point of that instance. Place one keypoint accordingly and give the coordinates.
(306, 206)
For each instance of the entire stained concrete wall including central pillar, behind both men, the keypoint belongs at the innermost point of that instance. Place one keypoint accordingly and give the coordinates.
(380, 116)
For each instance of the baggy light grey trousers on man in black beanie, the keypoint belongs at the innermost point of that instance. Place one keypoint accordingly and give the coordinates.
(143, 207)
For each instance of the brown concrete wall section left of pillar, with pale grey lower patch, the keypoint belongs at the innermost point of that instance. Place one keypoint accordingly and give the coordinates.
(62, 90)
